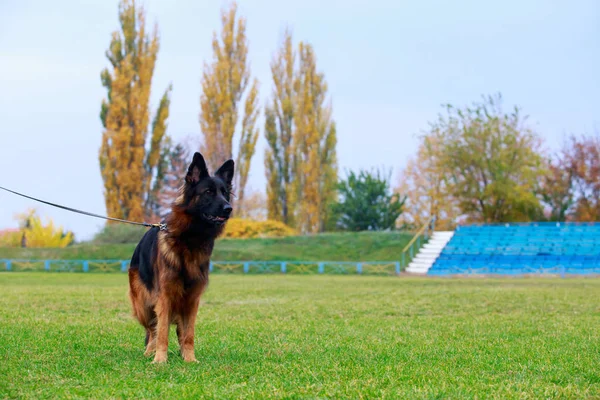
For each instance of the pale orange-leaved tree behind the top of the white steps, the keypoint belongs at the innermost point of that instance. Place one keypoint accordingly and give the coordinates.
(426, 184)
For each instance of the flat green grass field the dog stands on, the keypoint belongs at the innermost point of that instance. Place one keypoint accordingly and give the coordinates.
(72, 336)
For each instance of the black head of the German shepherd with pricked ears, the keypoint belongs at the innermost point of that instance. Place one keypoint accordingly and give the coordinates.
(206, 197)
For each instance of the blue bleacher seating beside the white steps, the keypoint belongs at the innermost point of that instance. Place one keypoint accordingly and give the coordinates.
(516, 249)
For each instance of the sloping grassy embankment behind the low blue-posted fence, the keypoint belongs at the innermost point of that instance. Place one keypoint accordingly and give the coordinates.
(367, 246)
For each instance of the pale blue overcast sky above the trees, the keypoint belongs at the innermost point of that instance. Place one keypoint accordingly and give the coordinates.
(390, 65)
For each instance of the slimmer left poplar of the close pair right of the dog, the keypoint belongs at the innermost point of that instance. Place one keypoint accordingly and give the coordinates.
(279, 130)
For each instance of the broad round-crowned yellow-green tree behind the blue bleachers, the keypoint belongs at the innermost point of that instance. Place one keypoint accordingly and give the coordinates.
(493, 161)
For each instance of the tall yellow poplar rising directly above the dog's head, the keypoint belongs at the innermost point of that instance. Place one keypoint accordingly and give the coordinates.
(225, 81)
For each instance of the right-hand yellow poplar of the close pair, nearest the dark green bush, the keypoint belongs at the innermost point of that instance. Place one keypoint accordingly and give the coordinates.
(315, 142)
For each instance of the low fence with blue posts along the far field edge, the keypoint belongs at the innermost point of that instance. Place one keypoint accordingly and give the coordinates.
(242, 267)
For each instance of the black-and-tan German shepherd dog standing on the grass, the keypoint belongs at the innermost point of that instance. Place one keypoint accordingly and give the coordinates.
(169, 269)
